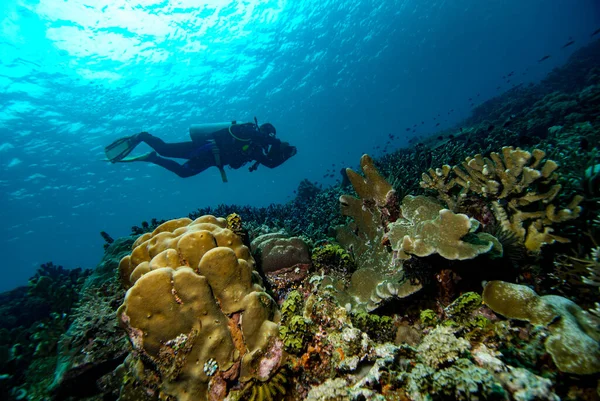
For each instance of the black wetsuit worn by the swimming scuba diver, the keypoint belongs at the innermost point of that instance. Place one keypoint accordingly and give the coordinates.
(251, 145)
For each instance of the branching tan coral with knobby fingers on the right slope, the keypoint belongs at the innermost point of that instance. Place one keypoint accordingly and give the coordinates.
(521, 186)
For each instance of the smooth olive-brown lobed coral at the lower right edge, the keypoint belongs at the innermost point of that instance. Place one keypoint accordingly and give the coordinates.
(573, 342)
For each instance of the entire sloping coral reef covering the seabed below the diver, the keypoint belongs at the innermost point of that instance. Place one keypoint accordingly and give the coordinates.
(379, 302)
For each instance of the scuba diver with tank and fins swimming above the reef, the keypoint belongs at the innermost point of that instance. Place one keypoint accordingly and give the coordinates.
(221, 144)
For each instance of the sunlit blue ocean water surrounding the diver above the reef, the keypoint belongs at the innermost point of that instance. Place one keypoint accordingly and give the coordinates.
(335, 78)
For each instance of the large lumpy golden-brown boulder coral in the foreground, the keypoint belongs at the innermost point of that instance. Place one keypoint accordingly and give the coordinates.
(196, 314)
